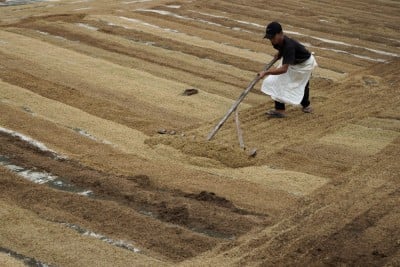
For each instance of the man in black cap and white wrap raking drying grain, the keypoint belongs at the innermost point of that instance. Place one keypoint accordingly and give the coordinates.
(289, 83)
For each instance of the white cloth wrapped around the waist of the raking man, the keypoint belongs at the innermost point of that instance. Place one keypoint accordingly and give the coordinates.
(289, 87)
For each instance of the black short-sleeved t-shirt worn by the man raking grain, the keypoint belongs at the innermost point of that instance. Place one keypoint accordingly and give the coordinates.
(292, 52)
